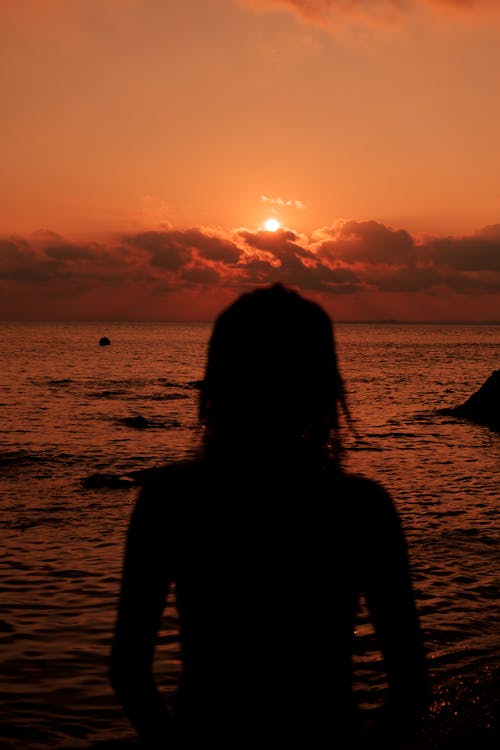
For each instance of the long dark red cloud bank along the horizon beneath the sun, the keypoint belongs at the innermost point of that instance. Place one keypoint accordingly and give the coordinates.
(349, 260)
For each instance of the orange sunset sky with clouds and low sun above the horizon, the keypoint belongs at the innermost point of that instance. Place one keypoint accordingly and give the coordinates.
(144, 144)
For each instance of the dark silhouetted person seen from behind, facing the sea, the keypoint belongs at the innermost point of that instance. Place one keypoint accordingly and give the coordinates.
(269, 545)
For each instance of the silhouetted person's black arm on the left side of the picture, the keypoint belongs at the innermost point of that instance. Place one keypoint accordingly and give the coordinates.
(144, 588)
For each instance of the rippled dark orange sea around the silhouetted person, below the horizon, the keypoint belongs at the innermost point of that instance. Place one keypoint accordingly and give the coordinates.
(81, 422)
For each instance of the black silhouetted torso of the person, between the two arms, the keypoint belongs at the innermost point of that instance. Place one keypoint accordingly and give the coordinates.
(268, 570)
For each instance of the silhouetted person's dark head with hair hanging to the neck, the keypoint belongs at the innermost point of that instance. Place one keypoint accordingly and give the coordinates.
(271, 380)
